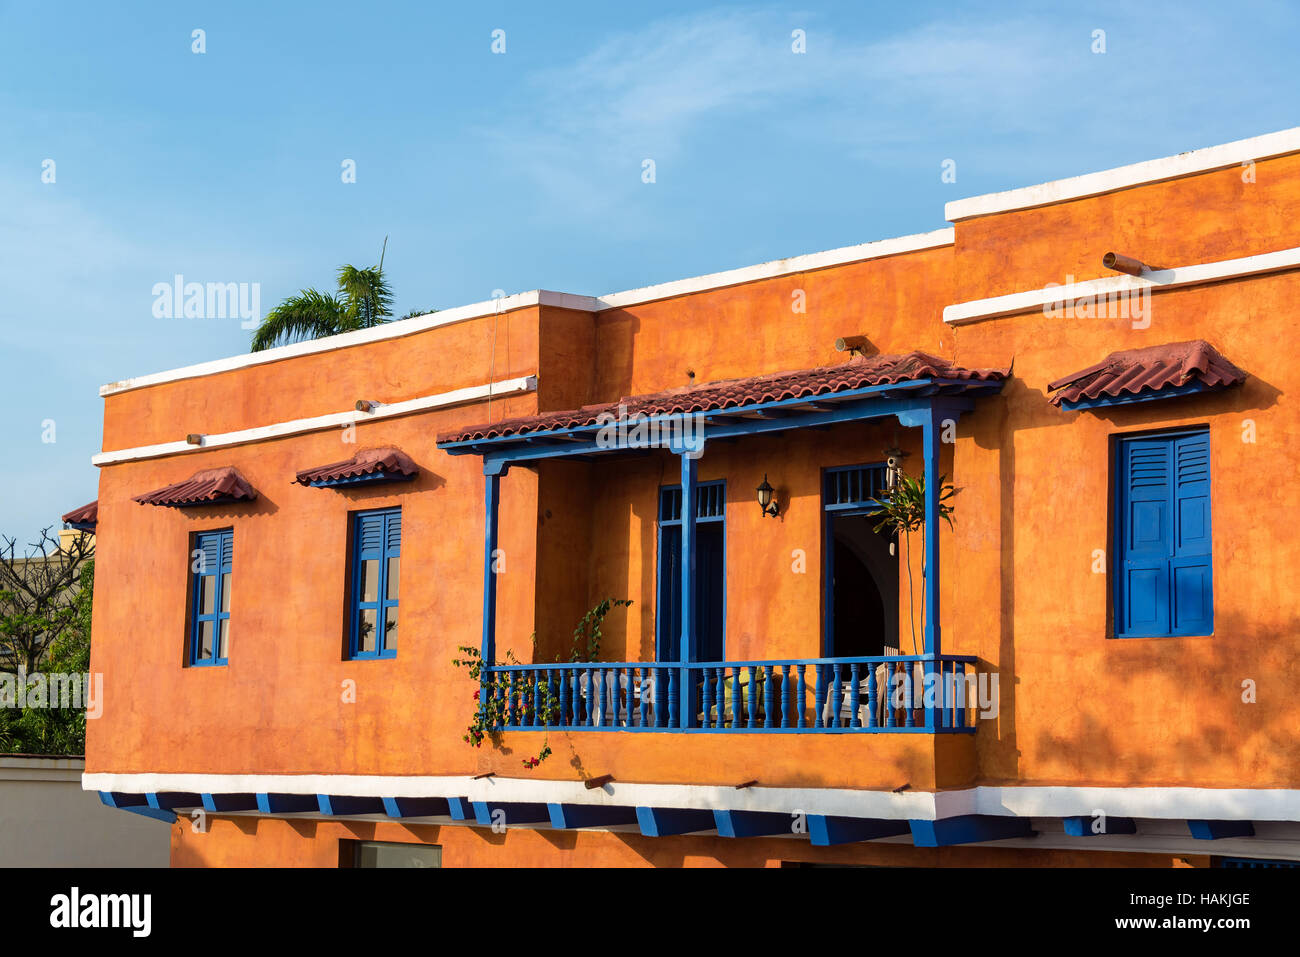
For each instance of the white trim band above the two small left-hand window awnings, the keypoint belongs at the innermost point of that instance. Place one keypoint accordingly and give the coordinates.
(510, 387)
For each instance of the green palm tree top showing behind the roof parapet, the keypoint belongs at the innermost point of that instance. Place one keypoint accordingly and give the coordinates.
(363, 301)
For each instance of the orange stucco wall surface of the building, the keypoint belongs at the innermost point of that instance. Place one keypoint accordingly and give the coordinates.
(1019, 583)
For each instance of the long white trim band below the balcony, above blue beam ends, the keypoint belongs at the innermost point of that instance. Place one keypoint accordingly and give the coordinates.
(1195, 804)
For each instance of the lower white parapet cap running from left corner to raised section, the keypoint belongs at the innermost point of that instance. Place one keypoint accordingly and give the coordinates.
(565, 301)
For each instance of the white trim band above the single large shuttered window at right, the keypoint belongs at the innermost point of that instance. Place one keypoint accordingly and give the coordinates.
(1106, 287)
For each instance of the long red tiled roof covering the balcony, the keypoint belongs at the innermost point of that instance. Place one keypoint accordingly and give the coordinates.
(736, 393)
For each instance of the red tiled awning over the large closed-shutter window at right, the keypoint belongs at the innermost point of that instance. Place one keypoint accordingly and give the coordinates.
(1154, 373)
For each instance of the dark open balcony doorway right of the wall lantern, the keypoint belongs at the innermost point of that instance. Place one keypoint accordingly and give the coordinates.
(861, 579)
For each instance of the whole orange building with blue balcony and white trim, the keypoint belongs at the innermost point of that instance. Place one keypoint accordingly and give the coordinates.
(1081, 655)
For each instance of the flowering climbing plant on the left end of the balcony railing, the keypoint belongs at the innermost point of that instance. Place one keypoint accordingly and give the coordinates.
(538, 703)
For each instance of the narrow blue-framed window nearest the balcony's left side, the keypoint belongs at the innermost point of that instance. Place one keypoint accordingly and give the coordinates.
(375, 577)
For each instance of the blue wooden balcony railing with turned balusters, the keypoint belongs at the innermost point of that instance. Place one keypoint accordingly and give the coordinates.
(892, 694)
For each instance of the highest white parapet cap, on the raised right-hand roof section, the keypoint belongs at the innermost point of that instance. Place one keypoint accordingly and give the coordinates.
(1125, 177)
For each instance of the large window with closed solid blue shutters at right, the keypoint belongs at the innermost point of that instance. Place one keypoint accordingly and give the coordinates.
(1164, 564)
